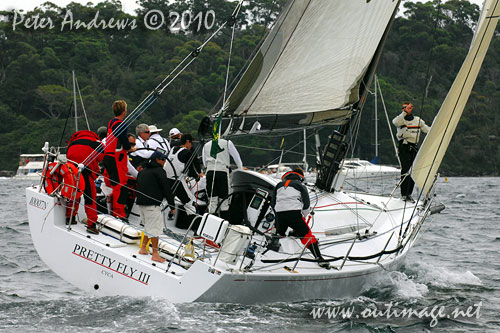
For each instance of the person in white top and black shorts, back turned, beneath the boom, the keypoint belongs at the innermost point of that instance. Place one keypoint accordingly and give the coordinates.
(218, 172)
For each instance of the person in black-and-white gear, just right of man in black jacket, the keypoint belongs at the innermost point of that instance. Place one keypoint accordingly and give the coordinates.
(181, 161)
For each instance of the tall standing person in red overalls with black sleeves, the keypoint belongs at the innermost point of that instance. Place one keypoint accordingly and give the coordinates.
(115, 158)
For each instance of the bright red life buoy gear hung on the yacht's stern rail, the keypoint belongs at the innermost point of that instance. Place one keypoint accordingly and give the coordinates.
(63, 178)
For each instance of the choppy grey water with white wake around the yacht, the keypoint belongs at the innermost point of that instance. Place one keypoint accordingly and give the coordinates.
(455, 264)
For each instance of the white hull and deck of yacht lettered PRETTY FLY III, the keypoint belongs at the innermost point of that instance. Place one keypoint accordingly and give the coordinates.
(102, 265)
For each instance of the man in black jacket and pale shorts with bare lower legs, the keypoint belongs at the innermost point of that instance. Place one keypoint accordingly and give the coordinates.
(152, 188)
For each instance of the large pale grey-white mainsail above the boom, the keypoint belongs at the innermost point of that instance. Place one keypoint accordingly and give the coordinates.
(313, 62)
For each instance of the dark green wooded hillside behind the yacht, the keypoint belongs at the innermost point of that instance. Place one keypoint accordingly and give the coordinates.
(420, 59)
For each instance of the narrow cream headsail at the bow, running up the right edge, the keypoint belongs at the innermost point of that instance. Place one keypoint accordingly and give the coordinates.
(431, 153)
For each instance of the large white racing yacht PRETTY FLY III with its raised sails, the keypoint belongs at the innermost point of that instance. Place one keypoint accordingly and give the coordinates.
(312, 70)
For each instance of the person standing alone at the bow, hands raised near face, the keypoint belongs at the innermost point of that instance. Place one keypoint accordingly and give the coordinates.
(408, 134)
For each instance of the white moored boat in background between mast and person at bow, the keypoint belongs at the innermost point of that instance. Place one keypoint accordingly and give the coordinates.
(355, 168)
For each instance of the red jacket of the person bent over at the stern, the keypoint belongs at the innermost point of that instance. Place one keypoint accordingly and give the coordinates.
(85, 146)
